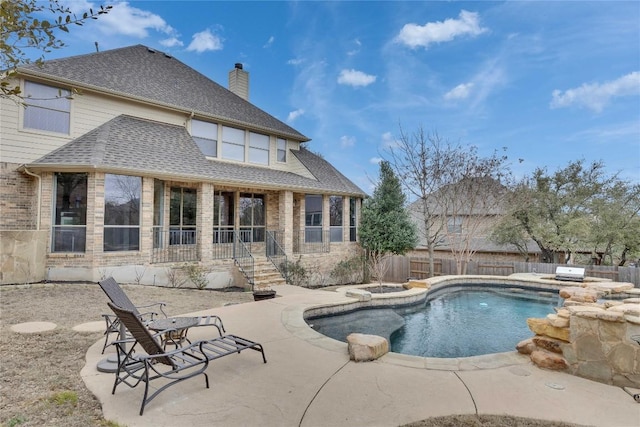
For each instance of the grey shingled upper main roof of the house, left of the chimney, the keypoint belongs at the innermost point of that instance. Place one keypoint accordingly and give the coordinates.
(142, 73)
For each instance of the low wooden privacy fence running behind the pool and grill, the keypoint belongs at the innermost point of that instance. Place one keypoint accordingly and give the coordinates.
(402, 268)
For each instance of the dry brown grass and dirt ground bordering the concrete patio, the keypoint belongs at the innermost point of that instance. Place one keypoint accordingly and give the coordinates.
(40, 383)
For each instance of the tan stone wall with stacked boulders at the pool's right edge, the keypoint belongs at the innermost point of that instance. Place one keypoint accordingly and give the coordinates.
(590, 337)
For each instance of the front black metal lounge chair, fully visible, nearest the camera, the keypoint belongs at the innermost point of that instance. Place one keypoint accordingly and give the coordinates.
(176, 365)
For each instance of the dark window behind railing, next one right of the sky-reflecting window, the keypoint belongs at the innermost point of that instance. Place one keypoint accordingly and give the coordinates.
(182, 216)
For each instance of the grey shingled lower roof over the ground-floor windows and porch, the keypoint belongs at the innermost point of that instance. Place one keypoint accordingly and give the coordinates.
(132, 145)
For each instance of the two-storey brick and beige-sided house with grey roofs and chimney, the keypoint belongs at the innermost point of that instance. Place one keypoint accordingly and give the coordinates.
(130, 163)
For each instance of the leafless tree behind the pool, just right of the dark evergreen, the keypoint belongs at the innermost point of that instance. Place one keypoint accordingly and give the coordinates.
(457, 193)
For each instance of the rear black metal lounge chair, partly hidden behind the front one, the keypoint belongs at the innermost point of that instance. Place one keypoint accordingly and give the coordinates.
(120, 299)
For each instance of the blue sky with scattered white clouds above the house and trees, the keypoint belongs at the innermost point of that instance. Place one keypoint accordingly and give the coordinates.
(550, 81)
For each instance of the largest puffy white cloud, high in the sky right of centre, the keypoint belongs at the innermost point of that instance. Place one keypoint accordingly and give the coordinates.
(414, 35)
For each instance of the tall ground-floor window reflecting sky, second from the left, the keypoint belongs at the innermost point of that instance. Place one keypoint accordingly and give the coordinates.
(122, 212)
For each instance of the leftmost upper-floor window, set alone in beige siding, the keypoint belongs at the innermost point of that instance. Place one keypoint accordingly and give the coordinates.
(48, 108)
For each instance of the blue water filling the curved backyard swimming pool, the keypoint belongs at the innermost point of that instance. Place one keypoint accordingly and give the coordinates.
(456, 324)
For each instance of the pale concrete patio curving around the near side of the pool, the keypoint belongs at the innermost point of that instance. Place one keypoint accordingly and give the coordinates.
(310, 381)
